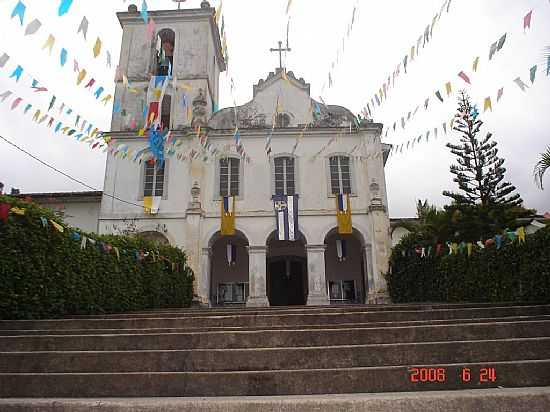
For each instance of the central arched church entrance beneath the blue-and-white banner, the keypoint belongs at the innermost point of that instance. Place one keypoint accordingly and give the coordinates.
(286, 271)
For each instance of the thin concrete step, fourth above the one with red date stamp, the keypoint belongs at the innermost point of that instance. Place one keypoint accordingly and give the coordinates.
(273, 320)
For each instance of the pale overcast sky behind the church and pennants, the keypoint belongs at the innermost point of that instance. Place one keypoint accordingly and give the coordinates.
(383, 33)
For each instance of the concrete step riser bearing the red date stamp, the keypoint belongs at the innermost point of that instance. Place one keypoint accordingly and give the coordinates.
(270, 383)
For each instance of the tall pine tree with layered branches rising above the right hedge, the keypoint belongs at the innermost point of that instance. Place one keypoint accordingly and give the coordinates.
(480, 172)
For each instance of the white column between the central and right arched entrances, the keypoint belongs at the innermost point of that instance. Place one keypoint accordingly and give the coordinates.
(317, 294)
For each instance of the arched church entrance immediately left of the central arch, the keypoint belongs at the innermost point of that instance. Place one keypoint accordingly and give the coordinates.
(229, 269)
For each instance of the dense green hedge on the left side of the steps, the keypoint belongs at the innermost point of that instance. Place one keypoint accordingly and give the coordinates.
(44, 273)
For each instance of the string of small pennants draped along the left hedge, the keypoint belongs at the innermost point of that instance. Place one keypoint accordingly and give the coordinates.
(140, 256)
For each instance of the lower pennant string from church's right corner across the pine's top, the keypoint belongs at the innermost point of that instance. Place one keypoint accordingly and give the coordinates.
(487, 106)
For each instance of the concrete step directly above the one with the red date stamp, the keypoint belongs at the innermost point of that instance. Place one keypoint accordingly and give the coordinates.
(273, 359)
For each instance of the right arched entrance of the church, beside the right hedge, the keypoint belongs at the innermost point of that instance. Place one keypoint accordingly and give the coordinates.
(344, 267)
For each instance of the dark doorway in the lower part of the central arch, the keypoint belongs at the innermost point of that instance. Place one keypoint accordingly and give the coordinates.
(286, 282)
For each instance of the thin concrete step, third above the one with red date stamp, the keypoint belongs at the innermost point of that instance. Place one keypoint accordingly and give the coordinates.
(198, 329)
